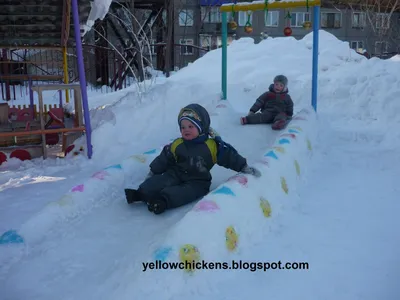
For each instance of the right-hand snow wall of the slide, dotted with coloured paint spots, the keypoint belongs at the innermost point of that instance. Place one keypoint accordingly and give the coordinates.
(236, 216)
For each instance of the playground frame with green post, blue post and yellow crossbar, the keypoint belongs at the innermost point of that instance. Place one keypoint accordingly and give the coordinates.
(272, 4)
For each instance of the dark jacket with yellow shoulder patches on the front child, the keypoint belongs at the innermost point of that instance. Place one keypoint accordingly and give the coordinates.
(193, 160)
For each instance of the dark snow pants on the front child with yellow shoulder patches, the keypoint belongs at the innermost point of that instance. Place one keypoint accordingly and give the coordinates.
(173, 190)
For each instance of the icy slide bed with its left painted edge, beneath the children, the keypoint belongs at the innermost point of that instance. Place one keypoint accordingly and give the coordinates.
(93, 226)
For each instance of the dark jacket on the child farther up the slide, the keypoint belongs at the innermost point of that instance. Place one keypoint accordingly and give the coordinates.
(274, 102)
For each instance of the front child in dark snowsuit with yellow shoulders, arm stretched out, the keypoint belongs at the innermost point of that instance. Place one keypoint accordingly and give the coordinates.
(181, 173)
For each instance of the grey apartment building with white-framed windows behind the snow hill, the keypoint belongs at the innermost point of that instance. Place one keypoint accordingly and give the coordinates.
(198, 23)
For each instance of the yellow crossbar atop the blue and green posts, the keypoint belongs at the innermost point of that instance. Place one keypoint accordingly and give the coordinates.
(258, 5)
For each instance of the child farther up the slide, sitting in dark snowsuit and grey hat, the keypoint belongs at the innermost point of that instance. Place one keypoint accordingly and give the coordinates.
(276, 106)
